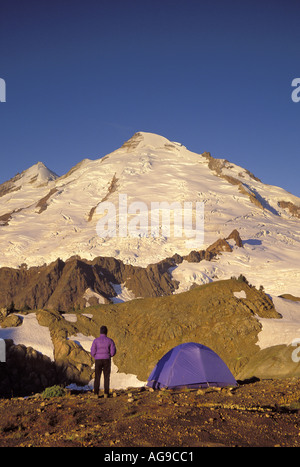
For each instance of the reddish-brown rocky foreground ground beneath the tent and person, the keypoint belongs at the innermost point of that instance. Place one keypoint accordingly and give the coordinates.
(257, 413)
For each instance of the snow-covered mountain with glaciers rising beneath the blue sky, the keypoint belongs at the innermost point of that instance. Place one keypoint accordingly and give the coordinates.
(44, 216)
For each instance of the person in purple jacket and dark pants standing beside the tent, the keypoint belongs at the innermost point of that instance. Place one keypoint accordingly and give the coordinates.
(103, 348)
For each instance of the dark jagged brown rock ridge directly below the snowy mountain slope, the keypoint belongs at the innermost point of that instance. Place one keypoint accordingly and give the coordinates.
(61, 285)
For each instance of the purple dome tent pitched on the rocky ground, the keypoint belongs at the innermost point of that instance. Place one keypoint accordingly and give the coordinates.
(190, 365)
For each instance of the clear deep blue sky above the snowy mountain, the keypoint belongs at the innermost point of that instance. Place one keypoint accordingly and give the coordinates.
(83, 76)
